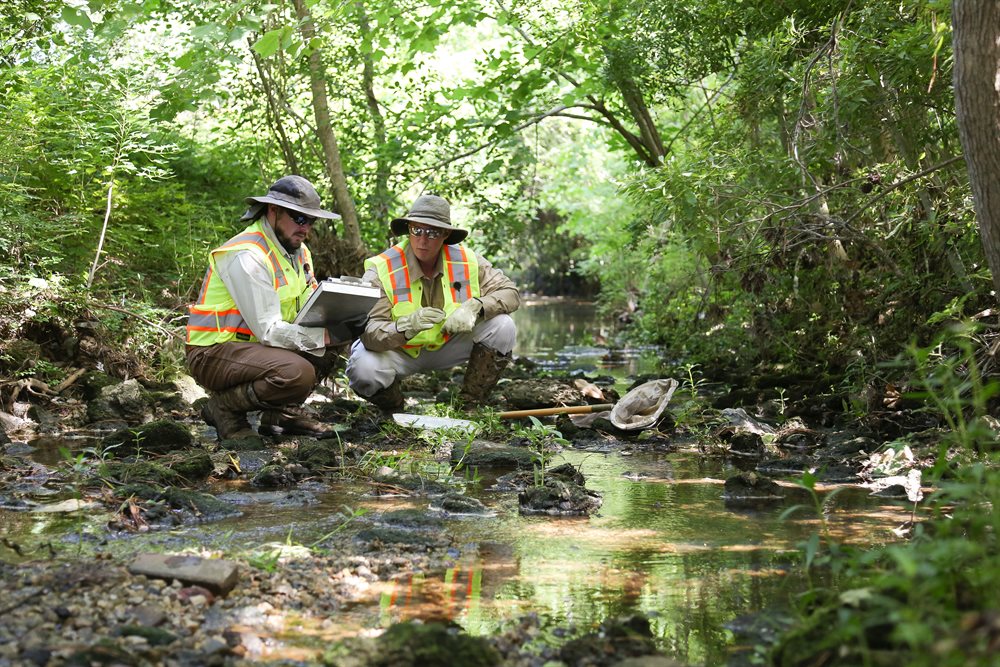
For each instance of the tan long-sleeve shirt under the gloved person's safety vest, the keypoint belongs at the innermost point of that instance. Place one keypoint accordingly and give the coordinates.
(498, 294)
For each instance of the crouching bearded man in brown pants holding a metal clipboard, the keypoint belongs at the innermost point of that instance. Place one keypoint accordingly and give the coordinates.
(241, 345)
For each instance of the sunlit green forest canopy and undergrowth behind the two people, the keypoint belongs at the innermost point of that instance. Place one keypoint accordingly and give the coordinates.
(778, 182)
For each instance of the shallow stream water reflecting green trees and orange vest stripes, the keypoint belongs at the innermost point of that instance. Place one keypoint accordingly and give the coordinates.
(663, 543)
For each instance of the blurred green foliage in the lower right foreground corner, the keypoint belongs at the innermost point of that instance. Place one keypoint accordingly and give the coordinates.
(925, 601)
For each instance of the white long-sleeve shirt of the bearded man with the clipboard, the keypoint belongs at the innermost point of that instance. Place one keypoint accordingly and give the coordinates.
(251, 285)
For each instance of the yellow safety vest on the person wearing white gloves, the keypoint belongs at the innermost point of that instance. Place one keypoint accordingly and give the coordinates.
(459, 282)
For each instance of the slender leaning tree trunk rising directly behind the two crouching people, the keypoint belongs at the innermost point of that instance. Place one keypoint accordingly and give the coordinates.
(334, 166)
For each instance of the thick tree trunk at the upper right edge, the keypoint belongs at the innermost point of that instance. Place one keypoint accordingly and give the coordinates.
(976, 42)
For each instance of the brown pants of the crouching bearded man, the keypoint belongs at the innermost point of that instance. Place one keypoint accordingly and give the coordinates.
(279, 376)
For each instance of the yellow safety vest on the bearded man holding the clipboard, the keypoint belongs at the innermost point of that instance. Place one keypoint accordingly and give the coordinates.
(214, 318)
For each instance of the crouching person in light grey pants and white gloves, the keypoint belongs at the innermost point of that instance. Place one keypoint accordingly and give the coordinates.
(442, 305)
